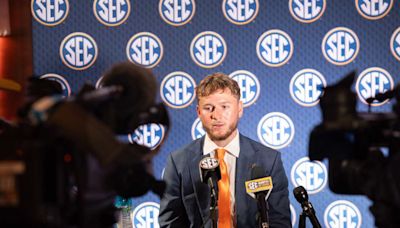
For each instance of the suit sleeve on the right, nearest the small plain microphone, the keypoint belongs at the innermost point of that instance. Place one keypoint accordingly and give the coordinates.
(279, 211)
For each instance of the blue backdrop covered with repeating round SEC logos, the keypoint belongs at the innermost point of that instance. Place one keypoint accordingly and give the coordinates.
(281, 52)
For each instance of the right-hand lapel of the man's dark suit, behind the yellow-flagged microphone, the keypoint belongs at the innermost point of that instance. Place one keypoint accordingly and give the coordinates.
(243, 168)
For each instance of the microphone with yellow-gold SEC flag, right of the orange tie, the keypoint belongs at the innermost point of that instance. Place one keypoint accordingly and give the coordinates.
(259, 188)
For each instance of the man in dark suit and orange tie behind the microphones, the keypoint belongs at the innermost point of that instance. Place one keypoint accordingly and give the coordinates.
(186, 201)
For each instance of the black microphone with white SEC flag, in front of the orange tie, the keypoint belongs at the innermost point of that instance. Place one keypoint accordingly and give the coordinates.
(210, 174)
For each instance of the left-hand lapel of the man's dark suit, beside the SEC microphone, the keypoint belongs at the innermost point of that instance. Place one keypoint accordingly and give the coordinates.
(201, 190)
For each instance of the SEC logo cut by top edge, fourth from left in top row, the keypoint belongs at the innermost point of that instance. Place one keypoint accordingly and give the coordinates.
(240, 12)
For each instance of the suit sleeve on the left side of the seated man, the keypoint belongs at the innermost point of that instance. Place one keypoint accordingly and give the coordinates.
(172, 211)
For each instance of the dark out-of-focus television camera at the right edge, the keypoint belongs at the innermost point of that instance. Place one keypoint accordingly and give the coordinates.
(362, 149)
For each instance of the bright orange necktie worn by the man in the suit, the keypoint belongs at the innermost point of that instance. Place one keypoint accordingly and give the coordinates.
(224, 201)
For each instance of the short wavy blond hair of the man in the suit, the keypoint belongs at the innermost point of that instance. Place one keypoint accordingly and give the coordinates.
(215, 82)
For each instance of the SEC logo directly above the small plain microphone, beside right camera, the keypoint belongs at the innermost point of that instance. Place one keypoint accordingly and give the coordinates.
(312, 175)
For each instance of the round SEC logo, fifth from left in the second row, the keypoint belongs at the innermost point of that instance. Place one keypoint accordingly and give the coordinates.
(340, 46)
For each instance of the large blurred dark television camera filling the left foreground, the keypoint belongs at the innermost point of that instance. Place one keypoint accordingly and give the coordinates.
(61, 163)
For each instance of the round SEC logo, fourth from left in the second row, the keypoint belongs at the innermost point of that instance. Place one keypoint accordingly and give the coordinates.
(274, 48)
